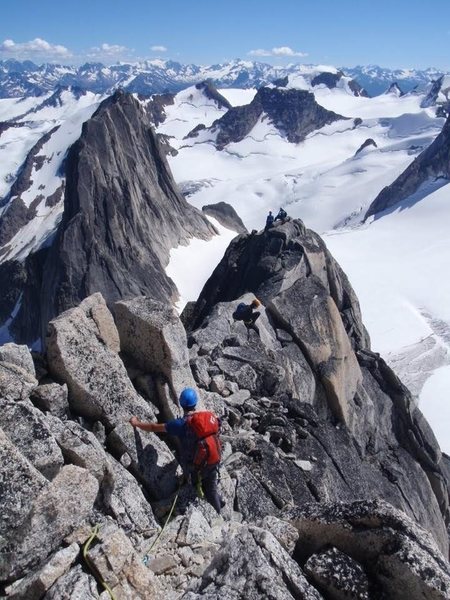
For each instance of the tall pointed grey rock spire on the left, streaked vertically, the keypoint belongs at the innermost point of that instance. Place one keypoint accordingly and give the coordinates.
(118, 184)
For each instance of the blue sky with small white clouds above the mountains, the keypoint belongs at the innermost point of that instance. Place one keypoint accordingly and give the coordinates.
(394, 33)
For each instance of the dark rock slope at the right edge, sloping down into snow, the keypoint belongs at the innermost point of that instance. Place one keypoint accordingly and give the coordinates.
(432, 164)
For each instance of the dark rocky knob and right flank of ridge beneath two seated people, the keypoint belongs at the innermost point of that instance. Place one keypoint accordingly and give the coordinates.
(311, 371)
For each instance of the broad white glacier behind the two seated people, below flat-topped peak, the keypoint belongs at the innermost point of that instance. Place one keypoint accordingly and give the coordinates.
(319, 180)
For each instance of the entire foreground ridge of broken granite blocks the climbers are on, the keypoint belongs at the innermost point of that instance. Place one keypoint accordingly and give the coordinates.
(333, 482)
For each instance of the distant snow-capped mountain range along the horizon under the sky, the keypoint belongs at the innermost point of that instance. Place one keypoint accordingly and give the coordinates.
(157, 76)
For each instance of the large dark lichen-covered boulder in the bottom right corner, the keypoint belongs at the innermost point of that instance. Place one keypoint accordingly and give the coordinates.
(381, 542)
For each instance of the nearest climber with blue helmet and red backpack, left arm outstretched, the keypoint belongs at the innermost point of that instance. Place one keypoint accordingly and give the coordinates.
(200, 448)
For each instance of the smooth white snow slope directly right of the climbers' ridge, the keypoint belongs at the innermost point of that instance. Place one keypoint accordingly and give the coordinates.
(398, 266)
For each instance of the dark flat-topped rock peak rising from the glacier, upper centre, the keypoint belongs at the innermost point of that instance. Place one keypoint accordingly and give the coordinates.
(294, 112)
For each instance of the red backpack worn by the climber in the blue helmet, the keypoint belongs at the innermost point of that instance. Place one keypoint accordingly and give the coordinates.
(205, 426)
